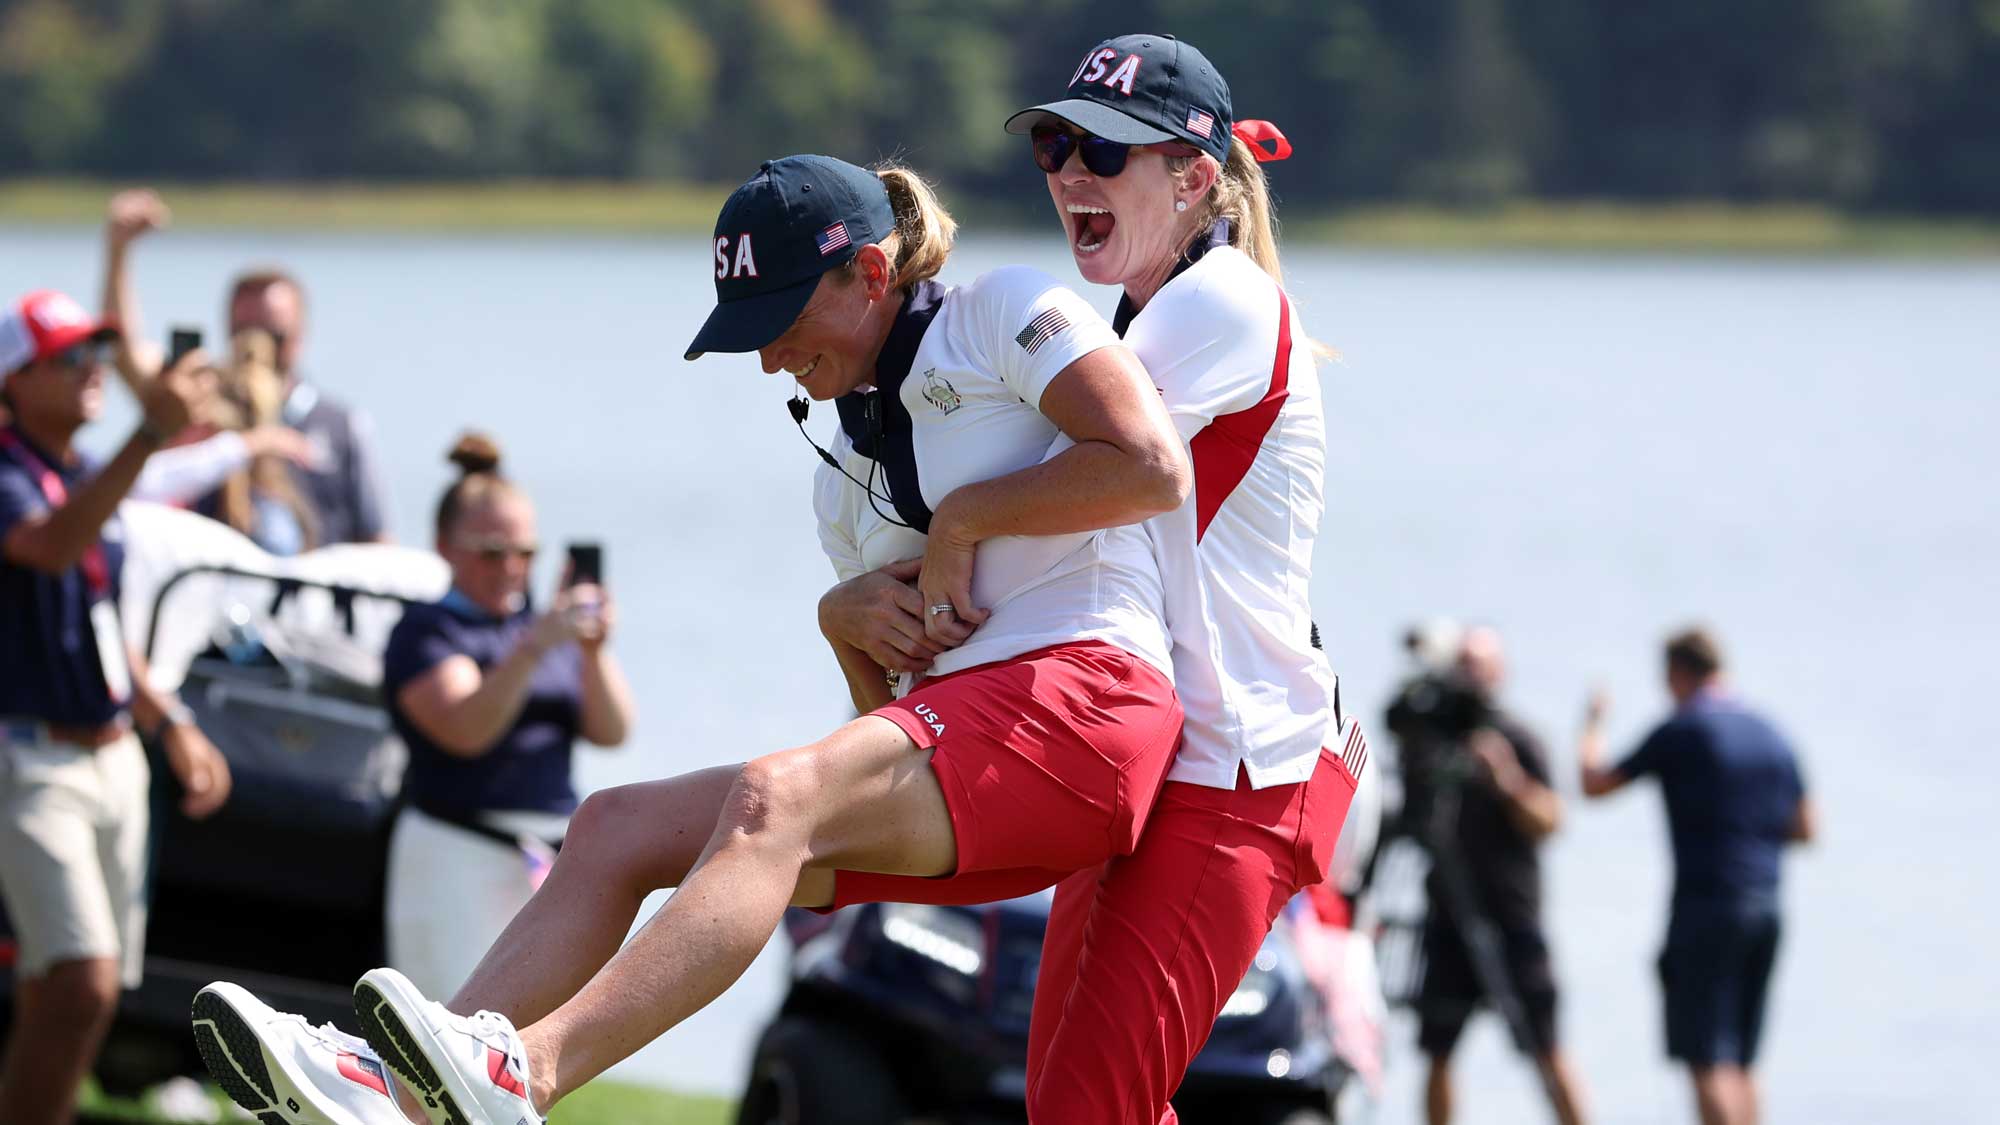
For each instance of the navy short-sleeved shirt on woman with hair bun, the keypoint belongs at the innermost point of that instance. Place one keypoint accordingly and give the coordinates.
(529, 770)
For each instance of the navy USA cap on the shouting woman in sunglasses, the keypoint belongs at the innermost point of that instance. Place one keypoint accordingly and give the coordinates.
(1145, 89)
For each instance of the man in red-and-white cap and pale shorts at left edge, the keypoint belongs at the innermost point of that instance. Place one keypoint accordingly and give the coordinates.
(73, 776)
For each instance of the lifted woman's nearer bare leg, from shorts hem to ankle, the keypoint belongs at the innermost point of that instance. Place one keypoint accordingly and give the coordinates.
(863, 798)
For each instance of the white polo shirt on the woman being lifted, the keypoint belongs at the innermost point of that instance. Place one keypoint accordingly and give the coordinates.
(973, 395)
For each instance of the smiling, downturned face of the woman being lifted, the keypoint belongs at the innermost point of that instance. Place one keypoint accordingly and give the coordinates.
(833, 345)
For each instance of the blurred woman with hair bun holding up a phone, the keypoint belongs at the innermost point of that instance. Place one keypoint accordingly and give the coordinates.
(489, 696)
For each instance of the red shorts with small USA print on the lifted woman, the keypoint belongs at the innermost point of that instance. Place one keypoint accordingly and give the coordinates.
(1049, 764)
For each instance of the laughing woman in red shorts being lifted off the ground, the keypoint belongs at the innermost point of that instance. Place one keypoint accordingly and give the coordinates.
(1021, 445)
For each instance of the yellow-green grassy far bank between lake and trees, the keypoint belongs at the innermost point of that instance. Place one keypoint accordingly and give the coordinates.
(527, 205)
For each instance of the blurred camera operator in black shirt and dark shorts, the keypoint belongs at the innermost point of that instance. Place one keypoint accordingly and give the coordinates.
(1479, 800)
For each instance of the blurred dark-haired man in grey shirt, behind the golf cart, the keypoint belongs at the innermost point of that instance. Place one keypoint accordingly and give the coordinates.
(343, 489)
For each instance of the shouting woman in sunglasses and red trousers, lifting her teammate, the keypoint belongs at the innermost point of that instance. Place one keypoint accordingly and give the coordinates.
(1161, 193)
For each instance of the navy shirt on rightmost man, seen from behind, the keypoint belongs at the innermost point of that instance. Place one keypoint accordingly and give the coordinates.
(1733, 792)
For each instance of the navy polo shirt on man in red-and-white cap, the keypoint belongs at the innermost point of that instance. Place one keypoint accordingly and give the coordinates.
(49, 654)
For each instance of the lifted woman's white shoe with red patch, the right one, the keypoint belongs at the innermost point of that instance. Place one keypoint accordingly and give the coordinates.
(469, 1070)
